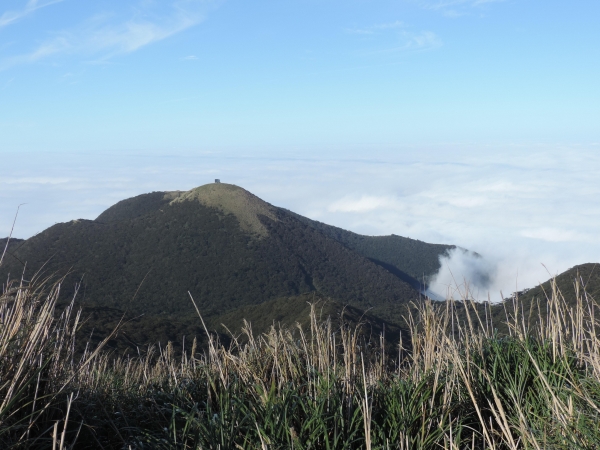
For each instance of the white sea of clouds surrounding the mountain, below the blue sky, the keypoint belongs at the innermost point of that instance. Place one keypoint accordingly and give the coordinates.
(528, 211)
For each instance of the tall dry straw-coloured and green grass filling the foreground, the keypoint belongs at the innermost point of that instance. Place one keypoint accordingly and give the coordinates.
(457, 385)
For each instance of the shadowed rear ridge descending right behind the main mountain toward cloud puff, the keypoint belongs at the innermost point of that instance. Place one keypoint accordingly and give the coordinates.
(410, 259)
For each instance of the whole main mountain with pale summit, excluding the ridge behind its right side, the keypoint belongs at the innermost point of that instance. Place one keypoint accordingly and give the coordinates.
(228, 248)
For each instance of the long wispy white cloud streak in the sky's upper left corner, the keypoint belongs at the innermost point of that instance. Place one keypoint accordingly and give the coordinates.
(104, 37)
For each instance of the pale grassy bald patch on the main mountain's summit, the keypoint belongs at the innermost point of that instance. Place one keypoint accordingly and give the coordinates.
(232, 199)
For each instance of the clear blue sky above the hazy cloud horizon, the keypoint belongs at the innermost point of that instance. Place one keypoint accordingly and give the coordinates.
(122, 75)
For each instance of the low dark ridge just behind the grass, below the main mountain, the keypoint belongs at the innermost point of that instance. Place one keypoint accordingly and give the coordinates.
(137, 331)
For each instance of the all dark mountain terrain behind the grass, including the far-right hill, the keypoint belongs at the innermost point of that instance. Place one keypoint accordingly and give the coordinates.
(141, 256)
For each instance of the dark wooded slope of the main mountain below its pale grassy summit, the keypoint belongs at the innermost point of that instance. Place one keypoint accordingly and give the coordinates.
(190, 247)
